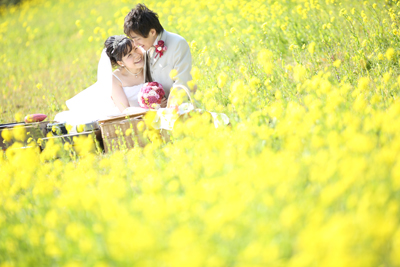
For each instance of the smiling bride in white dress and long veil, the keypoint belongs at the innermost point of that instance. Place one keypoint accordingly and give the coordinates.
(115, 90)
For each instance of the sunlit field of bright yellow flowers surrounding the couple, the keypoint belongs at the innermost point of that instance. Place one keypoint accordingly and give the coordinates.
(307, 174)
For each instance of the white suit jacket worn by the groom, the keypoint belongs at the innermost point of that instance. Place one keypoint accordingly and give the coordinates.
(176, 57)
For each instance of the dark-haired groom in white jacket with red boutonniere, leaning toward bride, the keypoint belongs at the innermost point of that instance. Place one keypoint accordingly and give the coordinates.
(172, 53)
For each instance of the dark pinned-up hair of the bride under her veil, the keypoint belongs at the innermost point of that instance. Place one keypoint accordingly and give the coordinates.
(117, 46)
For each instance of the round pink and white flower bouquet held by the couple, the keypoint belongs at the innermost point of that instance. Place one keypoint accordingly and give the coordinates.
(151, 95)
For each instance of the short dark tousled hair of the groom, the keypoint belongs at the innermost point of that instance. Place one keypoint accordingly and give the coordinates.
(141, 20)
